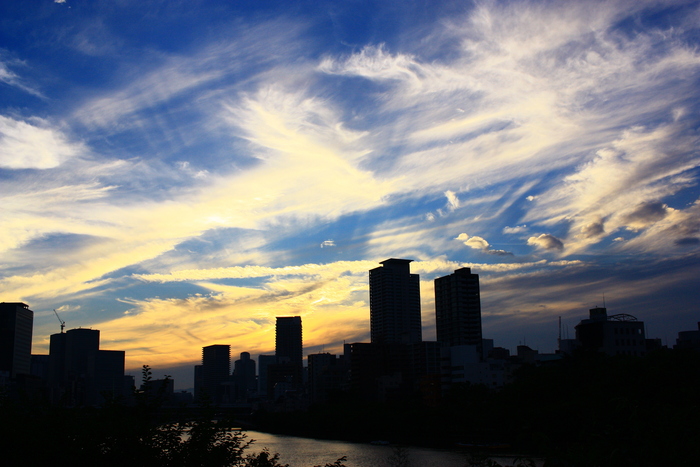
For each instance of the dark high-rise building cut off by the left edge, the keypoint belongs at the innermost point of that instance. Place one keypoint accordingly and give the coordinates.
(16, 323)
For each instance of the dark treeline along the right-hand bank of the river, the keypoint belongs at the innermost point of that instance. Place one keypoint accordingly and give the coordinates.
(586, 410)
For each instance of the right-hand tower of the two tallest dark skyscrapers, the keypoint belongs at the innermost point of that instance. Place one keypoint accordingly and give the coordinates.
(458, 309)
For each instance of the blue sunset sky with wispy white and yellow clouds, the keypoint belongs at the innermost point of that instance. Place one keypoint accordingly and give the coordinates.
(177, 174)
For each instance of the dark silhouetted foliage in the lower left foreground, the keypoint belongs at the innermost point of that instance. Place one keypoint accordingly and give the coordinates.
(142, 434)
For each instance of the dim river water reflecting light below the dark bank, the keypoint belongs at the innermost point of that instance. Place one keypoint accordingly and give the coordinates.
(305, 452)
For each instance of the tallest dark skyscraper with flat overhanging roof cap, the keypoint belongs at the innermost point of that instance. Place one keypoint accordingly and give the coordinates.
(394, 303)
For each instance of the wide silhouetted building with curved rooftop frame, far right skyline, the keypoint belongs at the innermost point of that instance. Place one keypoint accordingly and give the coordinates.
(620, 334)
